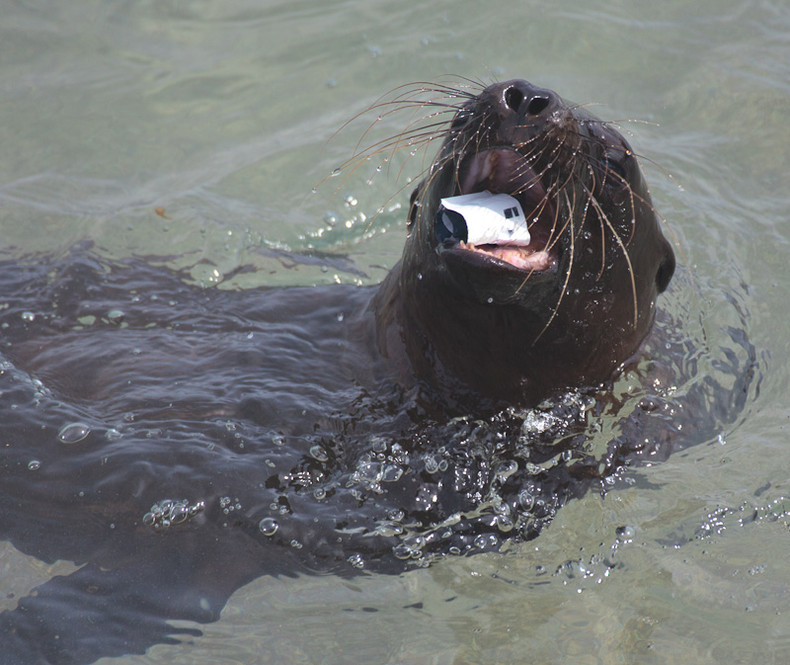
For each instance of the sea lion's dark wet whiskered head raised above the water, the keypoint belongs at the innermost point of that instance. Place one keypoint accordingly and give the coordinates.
(520, 321)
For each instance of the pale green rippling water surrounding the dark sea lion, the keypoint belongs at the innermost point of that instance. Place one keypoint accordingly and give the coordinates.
(196, 133)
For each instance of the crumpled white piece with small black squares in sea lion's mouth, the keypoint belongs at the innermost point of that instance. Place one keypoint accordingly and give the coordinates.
(495, 219)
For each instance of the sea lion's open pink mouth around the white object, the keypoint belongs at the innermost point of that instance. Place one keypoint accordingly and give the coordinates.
(505, 171)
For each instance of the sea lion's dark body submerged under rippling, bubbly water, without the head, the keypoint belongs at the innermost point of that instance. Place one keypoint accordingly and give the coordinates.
(176, 442)
